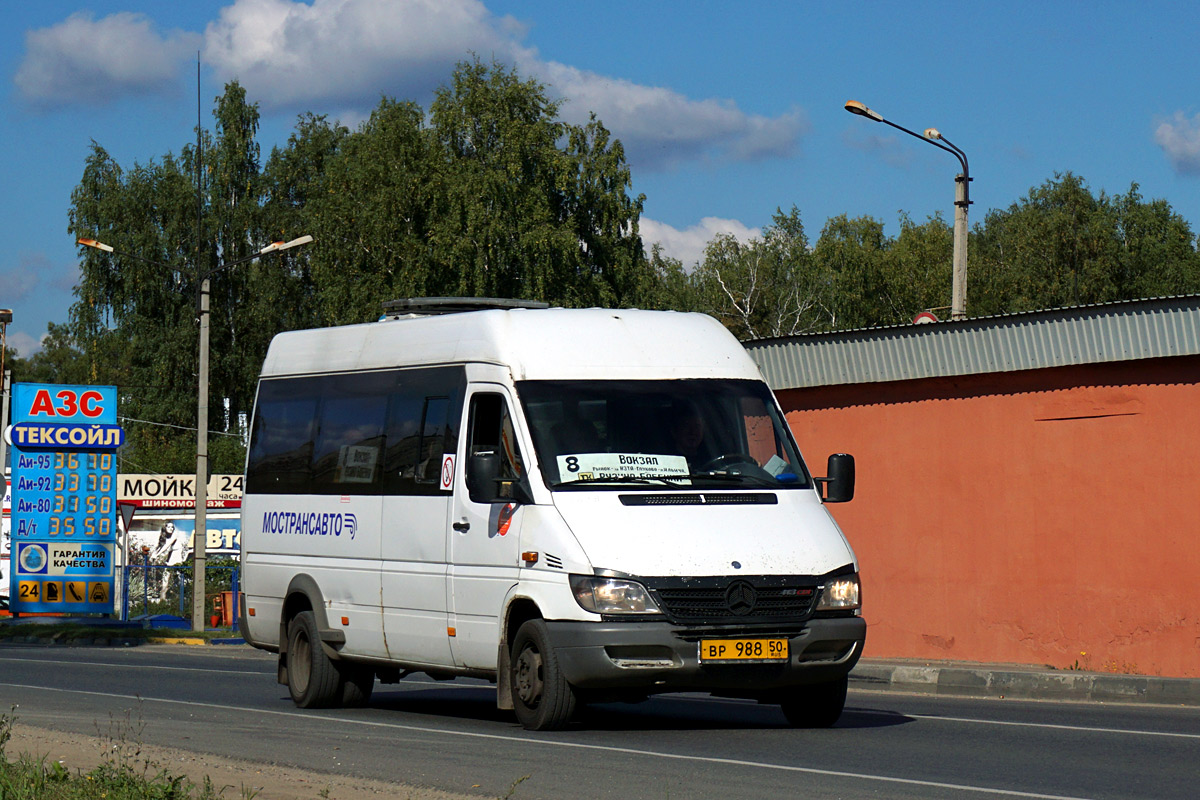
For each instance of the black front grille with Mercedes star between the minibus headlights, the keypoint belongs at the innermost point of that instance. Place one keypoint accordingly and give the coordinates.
(736, 599)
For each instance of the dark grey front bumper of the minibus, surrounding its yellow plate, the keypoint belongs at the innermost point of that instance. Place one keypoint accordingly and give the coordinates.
(664, 658)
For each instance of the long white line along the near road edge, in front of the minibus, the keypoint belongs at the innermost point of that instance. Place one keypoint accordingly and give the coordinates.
(551, 743)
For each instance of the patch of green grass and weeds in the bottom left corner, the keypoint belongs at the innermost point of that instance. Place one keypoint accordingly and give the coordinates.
(125, 773)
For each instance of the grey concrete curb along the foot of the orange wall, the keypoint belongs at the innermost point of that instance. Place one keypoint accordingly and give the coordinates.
(985, 681)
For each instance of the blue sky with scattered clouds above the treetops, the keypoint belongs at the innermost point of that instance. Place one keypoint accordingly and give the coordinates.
(729, 111)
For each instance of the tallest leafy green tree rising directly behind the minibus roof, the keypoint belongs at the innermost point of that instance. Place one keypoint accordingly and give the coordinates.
(524, 215)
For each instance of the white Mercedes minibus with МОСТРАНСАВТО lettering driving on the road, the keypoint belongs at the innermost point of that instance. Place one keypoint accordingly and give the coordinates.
(580, 506)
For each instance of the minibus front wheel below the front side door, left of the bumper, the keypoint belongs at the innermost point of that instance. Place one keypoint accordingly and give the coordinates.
(542, 696)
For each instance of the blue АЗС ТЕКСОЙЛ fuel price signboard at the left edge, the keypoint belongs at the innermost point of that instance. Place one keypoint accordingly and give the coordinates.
(64, 498)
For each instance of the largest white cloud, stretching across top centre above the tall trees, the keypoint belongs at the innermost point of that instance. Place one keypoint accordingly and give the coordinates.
(347, 53)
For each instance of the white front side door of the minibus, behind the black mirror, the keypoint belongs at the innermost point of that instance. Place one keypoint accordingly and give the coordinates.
(484, 537)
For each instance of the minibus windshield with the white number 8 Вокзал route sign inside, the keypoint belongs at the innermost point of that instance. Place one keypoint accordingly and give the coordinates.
(711, 435)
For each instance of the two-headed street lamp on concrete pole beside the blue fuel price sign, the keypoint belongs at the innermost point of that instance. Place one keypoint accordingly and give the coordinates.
(200, 538)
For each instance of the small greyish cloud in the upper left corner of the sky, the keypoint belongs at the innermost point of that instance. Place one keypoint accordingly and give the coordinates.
(88, 61)
